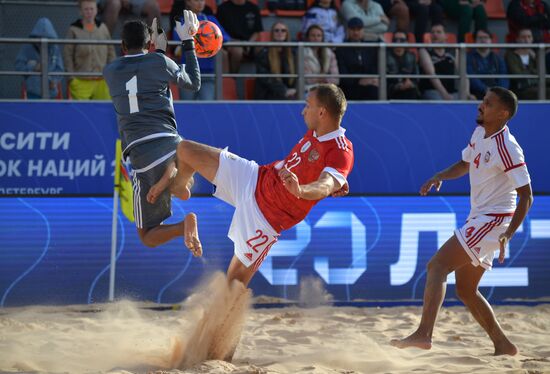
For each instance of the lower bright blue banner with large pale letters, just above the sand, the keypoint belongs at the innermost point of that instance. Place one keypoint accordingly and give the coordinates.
(57, 251)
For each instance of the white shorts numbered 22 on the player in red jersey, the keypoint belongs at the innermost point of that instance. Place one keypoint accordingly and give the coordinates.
(250, 232)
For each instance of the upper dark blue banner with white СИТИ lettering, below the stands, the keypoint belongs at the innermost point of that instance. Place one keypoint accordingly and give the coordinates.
(68, 148)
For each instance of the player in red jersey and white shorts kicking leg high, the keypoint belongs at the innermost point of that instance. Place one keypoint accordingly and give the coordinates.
(271, 198)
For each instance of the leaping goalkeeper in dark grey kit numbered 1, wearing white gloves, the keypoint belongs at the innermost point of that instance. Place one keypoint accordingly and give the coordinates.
(139, 84)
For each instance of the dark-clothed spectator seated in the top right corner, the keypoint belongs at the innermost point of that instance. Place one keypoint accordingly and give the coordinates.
(529, 14)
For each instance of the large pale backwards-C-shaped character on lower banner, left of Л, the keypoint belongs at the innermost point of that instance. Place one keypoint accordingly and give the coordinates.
(358, 266)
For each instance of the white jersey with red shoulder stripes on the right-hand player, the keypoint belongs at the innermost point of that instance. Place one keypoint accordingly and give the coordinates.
(497, 168)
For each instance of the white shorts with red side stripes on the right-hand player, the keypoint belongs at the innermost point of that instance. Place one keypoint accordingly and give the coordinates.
(479, 237)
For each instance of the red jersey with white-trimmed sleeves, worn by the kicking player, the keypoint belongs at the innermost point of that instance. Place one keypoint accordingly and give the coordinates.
(331, 153)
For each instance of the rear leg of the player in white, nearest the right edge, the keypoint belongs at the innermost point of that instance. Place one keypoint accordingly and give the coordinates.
(467, 281)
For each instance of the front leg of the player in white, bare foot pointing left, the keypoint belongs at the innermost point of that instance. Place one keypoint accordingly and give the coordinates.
(450, 257)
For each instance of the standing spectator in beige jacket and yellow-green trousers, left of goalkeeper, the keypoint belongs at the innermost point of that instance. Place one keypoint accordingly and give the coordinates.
(88, 57)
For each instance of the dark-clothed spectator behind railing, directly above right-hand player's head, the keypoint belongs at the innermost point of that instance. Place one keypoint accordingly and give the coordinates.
(523, 60)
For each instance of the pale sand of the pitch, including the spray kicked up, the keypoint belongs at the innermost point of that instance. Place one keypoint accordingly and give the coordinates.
(127, 338)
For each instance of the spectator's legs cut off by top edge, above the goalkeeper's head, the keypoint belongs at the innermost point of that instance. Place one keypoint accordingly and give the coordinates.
(140, 8)
